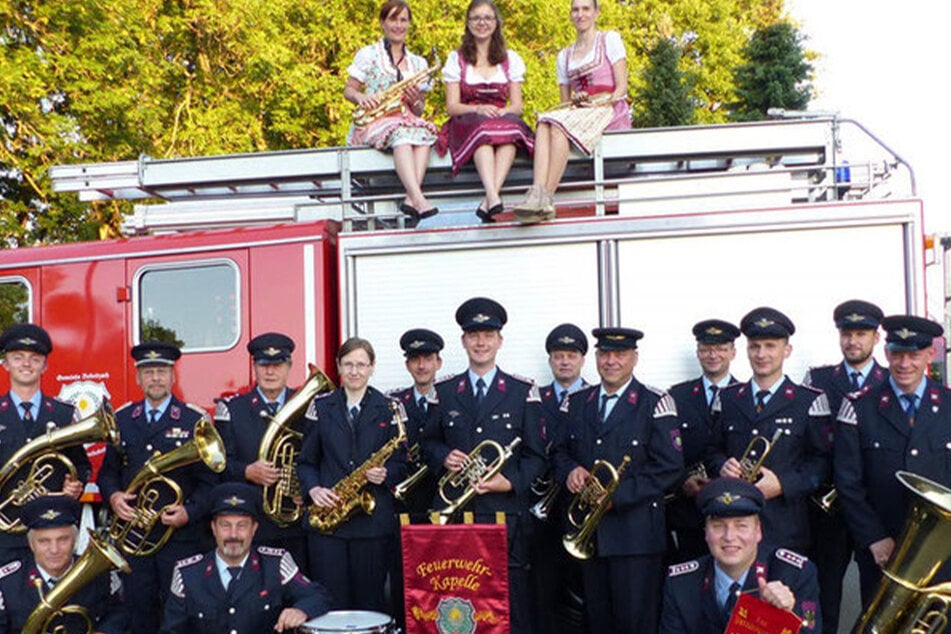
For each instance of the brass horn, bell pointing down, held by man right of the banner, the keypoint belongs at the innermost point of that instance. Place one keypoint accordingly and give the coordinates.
(593, 500)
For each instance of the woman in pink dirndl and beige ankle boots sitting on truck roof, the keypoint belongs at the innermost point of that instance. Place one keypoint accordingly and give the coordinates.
(592, 78)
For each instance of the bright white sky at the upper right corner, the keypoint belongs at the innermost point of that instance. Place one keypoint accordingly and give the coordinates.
(885, 65)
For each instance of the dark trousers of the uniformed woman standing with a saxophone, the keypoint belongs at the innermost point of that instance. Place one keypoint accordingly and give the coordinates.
(353, 570)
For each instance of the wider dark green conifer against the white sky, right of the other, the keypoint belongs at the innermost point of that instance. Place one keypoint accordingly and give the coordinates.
(775, 74)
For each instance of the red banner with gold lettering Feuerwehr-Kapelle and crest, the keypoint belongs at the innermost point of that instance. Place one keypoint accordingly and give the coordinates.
(456, 579)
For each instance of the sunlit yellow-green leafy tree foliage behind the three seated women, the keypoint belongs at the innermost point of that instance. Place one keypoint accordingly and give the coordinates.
(109, 80)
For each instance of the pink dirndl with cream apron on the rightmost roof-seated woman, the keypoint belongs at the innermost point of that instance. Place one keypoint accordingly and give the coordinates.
(584, 126)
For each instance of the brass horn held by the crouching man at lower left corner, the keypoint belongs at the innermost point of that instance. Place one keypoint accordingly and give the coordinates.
(100, 556)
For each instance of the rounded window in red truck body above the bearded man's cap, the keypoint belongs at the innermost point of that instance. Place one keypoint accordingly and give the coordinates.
(195, 307)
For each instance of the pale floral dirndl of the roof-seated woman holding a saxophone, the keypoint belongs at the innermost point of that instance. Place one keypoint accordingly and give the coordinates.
(373, 68)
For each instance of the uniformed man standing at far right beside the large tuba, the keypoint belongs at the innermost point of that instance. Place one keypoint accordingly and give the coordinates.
(901, 424)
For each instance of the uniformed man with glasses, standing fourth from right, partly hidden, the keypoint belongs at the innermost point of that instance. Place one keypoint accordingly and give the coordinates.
(715, 352)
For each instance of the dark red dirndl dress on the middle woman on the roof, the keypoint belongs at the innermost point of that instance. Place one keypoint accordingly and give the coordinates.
(462, 135)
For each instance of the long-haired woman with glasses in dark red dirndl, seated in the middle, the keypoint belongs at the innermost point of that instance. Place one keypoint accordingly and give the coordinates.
(484, 101)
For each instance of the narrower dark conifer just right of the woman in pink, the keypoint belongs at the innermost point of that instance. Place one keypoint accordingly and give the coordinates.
(664, 99)
